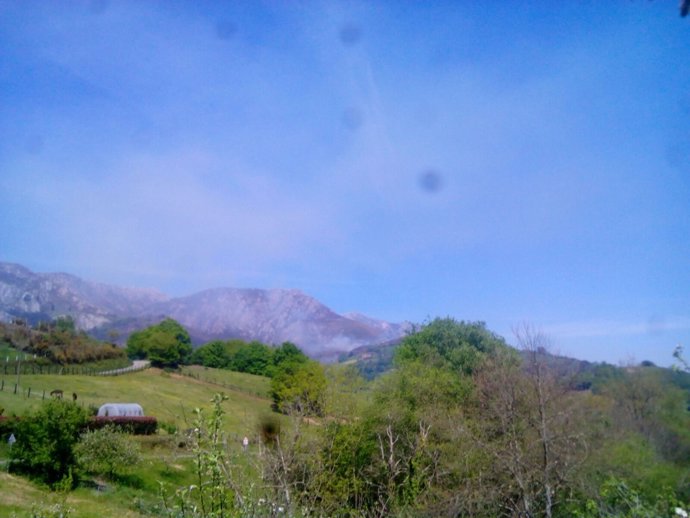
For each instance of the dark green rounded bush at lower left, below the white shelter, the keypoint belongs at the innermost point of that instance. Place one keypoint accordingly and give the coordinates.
(46, 440)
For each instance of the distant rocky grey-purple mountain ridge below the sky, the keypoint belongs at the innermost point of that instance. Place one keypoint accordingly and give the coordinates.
(270, 316)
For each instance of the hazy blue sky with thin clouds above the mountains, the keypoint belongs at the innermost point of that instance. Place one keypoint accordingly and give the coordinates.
(500, 161)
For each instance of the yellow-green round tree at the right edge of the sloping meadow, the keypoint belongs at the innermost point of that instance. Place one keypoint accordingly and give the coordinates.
(300, 387)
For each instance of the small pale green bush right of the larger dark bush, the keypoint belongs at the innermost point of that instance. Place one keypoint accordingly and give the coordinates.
(107, 452)
